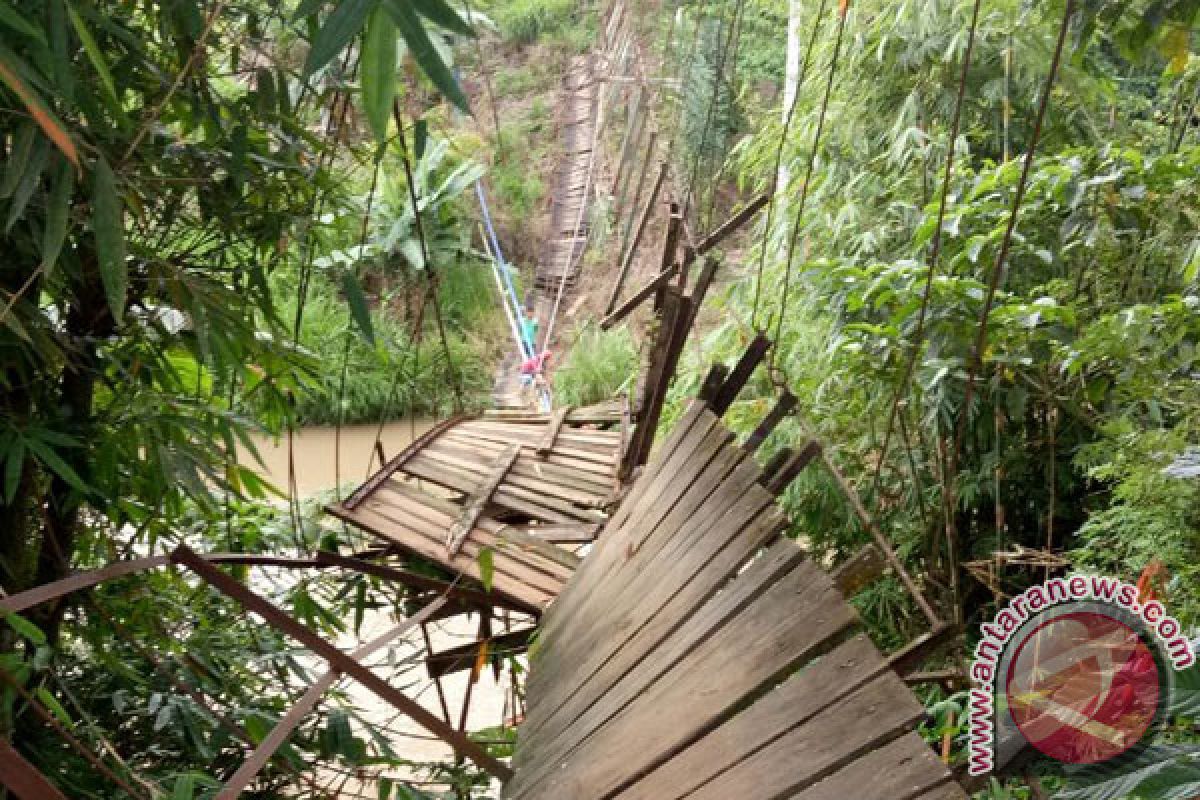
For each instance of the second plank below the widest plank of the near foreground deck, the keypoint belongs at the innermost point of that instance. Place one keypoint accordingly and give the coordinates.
(868, 719)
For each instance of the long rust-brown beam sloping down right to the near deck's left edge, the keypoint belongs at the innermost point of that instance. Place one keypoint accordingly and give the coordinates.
(339, 660)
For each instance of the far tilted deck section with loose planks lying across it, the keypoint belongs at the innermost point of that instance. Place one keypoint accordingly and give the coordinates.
(515, 485)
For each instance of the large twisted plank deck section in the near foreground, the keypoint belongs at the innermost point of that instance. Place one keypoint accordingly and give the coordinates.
(697, 653)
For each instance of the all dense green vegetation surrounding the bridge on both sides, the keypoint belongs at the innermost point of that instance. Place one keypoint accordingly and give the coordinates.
(209, 232)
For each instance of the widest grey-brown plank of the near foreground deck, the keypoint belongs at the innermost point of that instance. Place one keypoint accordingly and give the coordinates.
(751, 635)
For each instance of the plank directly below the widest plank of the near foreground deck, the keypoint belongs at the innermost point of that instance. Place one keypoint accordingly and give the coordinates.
(812, 691)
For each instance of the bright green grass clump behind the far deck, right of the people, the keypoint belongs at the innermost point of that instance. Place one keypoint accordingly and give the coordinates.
(599, 365)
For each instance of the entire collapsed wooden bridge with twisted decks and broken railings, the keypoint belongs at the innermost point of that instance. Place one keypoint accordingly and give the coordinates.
(681, 645)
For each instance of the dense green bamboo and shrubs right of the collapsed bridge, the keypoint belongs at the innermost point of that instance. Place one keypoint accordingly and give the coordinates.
(1067, 424)
